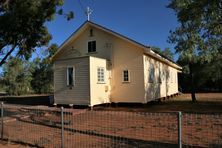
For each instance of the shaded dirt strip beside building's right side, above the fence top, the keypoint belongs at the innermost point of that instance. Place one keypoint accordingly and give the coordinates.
(206, 102)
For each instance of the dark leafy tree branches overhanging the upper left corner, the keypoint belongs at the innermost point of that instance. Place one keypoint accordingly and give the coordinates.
(22, 26)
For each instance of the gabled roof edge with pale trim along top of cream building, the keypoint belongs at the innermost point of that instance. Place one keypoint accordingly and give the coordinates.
(147, 49)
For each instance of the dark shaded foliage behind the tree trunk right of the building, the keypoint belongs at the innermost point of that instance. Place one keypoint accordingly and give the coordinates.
(207, 76)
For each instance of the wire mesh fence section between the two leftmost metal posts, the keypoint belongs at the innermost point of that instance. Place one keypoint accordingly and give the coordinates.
(32, 125)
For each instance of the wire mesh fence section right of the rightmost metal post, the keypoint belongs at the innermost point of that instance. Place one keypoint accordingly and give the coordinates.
(202, 130)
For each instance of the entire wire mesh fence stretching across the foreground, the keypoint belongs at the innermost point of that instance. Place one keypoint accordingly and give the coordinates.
(53, 127)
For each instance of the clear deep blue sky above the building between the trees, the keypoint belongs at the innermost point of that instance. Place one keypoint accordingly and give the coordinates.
(146, 21)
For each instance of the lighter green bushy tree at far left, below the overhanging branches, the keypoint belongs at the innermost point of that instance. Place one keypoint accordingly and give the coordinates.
(17, 77)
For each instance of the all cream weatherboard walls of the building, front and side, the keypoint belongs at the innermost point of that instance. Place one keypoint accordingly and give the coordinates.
(115, 53)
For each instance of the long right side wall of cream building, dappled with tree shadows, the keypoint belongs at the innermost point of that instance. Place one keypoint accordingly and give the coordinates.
(165, 79)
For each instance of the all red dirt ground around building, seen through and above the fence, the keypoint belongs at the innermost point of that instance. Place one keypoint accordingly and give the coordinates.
(150, 125)
